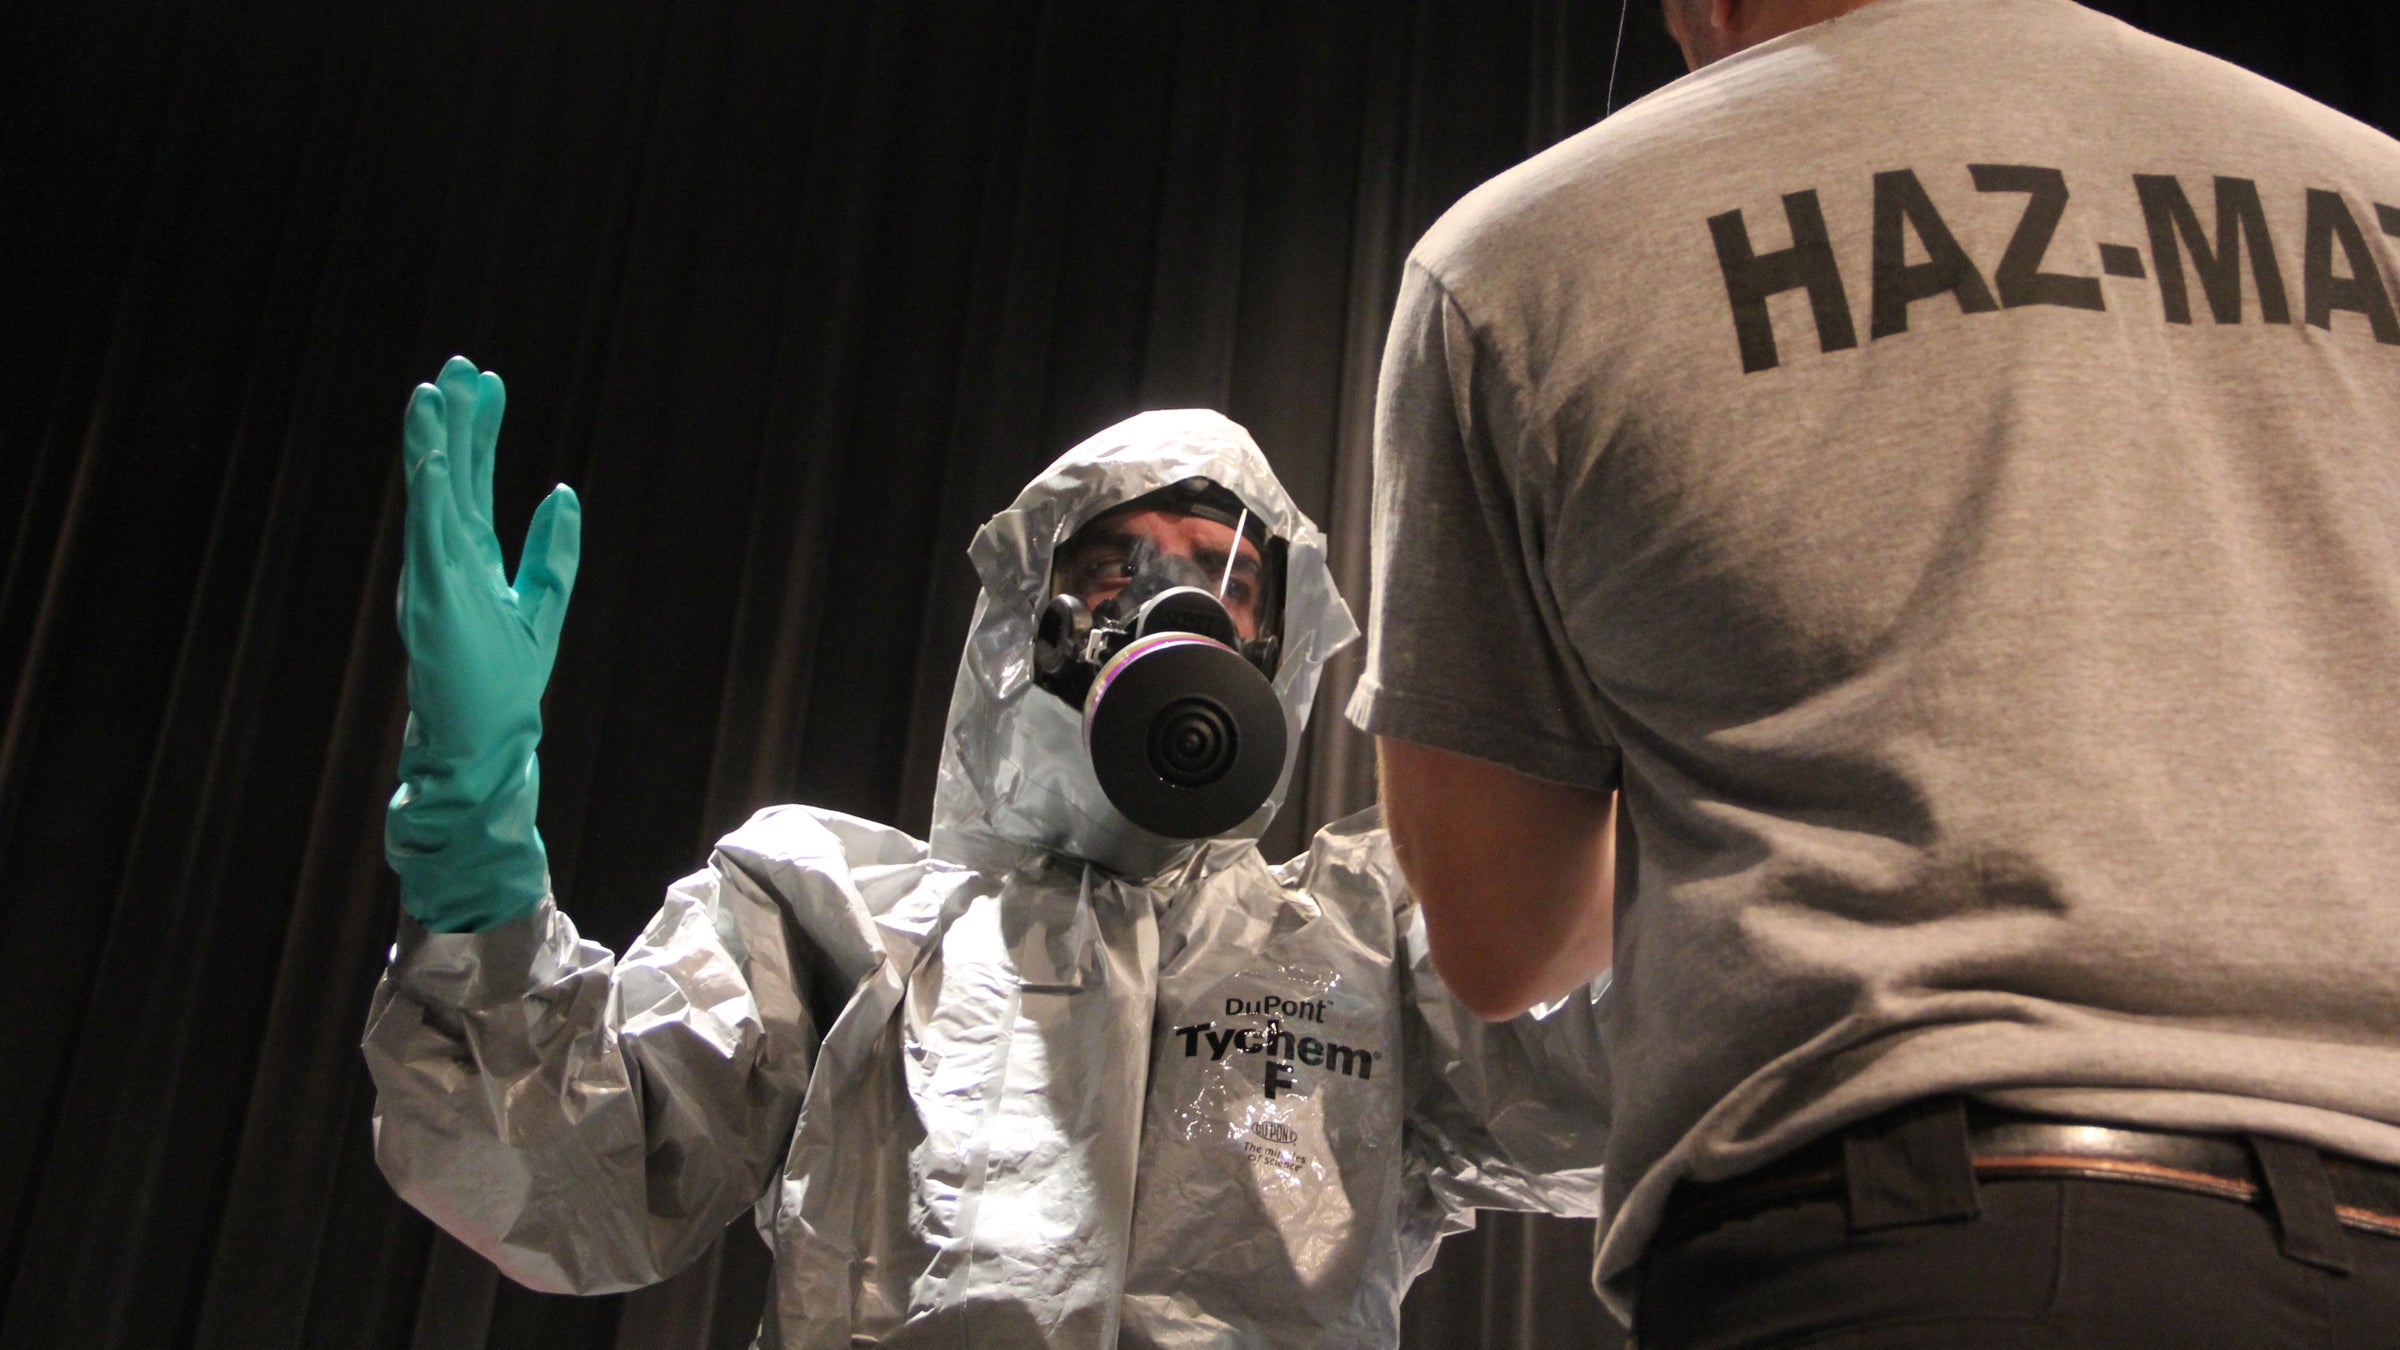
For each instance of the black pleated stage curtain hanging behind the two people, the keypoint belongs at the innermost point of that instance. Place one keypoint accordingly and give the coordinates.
(796, 297)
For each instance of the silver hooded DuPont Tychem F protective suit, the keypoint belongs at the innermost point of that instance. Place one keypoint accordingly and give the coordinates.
(1040, 1082)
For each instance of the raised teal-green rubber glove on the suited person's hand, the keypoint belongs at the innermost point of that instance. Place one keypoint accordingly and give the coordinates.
(460, 832)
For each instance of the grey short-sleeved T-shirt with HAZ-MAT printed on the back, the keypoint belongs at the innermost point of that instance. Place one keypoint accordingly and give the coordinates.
(1945, 467)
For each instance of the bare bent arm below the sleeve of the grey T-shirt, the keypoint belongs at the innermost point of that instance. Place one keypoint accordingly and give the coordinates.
(1518, 876)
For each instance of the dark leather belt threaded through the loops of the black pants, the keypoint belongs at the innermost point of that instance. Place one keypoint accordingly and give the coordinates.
(2008, 1145)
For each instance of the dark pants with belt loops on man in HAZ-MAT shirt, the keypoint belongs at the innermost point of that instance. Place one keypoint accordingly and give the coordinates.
(2044, 1262)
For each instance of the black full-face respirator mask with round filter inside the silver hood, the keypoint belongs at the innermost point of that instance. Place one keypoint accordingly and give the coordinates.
(1165, 631)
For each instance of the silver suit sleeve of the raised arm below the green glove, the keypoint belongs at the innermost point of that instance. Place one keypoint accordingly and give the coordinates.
(592, 1123)
